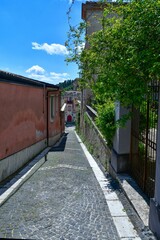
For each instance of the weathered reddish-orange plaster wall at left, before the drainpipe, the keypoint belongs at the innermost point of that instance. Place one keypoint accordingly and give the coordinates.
(22, 117)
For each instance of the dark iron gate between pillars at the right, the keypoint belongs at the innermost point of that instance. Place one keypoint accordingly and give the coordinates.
(143, 140)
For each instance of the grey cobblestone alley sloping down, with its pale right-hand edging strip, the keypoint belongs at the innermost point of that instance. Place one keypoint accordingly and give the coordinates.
(64, 200)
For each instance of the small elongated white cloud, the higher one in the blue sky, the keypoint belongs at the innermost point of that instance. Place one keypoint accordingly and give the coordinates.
(52, 49)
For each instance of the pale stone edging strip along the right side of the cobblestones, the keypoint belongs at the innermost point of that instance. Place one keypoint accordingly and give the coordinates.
(118, 214)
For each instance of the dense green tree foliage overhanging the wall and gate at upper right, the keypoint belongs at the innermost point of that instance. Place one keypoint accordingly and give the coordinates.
(123, 57)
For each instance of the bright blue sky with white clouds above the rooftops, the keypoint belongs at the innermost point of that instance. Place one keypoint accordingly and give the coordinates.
(33, 33)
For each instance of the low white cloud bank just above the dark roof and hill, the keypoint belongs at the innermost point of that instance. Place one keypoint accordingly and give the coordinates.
(38, 73)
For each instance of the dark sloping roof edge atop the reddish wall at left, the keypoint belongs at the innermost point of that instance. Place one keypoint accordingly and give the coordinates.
(18, 79)
